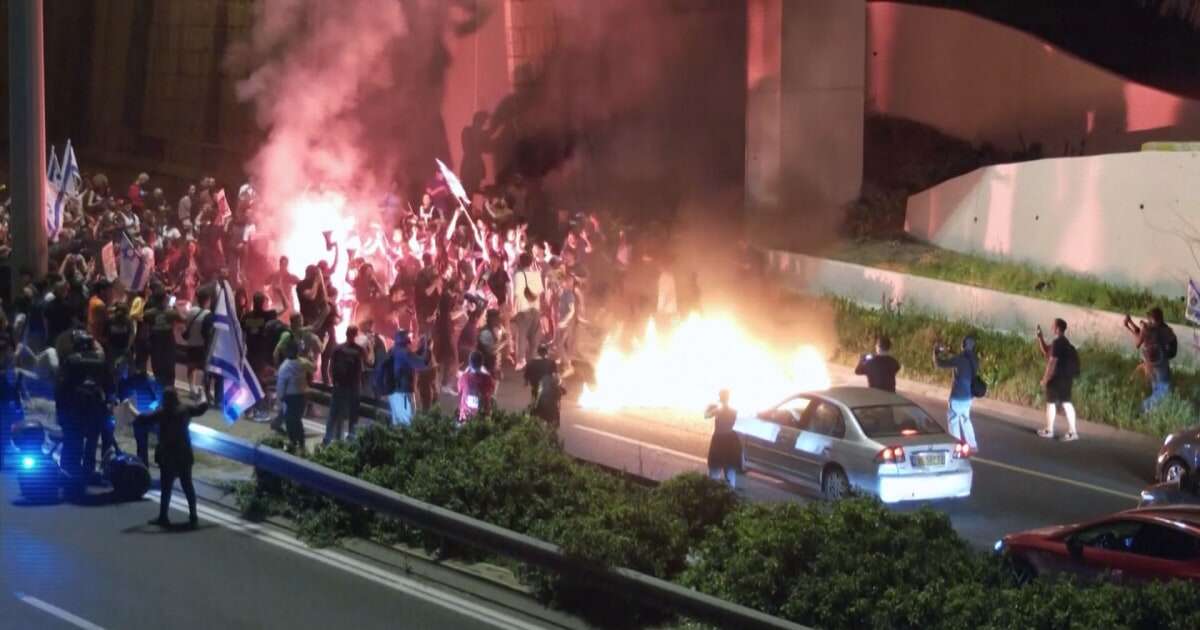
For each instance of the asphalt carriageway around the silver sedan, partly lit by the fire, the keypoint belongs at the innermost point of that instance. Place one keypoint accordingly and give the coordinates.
(1022, 482)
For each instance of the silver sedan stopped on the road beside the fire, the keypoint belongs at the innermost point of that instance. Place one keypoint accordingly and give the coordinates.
(857, 439)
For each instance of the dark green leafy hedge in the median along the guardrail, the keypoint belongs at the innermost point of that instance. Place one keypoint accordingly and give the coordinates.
(854, 565)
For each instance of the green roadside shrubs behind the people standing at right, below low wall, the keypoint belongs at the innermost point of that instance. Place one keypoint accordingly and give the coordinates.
(1109, 389)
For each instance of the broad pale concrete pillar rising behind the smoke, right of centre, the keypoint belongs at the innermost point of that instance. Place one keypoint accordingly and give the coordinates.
(805, 111)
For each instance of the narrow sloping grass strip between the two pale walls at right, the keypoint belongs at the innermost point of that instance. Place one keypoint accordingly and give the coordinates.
(927, 261)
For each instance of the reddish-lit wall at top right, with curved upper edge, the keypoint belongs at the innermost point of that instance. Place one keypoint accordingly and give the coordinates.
(986, 82)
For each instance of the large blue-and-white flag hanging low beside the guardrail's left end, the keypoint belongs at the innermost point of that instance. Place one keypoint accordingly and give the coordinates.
(227, 357)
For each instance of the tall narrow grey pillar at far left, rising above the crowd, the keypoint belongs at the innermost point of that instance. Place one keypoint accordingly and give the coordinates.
(27, 133)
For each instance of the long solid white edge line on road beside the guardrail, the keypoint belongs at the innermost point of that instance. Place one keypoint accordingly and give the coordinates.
(352, 566)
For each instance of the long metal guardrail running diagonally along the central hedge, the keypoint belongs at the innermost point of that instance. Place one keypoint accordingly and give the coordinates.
(649, 590)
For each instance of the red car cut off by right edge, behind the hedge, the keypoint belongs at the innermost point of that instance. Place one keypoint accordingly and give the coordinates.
(1135, 545)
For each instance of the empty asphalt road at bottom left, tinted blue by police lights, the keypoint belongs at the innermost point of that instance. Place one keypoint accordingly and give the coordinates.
(101, 567)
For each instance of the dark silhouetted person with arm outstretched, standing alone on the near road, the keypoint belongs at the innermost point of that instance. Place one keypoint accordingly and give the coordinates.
(175, 453)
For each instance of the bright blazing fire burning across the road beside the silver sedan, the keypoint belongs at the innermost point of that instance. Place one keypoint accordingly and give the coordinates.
(685, 368)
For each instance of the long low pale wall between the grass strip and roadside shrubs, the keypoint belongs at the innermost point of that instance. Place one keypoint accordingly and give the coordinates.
(983, 308)
